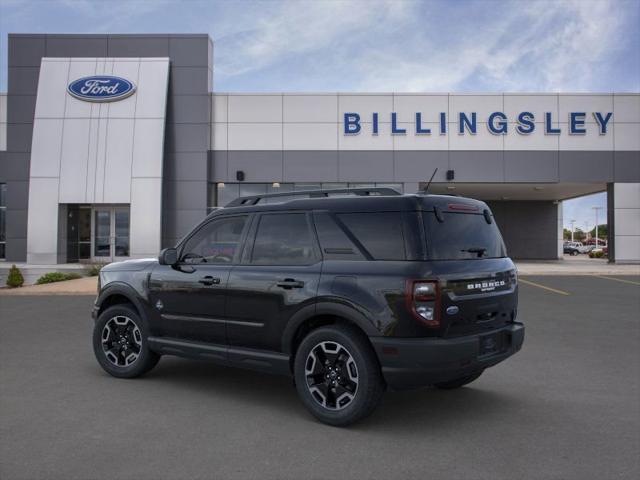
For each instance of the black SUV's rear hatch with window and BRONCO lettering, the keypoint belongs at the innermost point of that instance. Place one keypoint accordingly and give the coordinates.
(477, 281)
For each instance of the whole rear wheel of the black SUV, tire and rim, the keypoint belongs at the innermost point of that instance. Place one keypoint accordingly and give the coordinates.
(346, 389)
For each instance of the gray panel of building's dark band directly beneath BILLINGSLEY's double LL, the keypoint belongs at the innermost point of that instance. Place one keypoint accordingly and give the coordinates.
(418, 166)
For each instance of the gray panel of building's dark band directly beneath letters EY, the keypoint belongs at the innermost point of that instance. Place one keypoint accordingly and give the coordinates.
(586, 166)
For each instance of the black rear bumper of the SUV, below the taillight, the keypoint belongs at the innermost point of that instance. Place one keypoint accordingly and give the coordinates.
(416, 362)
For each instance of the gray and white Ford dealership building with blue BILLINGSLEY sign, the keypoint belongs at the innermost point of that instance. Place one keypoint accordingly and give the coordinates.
(114, 146)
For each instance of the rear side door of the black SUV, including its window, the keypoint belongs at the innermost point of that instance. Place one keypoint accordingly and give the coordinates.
(278, 276)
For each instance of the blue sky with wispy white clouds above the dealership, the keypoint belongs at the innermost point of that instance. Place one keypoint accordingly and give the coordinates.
(378, 45)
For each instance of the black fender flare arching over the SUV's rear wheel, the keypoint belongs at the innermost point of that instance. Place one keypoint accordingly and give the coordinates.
(326, 307)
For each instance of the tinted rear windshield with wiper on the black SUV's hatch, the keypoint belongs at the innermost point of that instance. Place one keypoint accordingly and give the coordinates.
(462, 236)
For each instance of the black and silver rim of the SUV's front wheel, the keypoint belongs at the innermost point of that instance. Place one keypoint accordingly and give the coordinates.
(121, 341)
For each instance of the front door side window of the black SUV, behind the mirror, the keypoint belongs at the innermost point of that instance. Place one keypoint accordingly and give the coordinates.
(215, 243)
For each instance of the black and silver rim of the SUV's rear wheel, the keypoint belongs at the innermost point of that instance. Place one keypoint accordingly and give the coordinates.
(332, 375)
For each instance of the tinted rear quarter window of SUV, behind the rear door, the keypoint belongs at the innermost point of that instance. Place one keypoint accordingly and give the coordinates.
(379, 233)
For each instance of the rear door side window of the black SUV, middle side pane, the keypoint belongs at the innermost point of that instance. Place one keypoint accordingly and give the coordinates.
(283, 239)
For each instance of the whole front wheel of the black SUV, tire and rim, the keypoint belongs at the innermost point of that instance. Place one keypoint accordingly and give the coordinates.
(121, 328)
